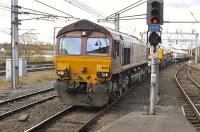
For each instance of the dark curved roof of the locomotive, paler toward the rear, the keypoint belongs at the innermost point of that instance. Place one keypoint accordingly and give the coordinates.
(88, 25)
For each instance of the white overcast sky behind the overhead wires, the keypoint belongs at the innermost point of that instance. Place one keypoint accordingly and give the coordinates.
(174, 10)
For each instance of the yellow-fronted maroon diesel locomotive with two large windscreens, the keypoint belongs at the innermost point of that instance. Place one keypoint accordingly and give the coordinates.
(96, 64)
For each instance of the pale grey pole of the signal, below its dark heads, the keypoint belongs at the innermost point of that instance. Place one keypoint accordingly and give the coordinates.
(153, 82)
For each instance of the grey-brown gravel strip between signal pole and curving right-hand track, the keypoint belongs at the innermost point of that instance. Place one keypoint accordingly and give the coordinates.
(170, 96)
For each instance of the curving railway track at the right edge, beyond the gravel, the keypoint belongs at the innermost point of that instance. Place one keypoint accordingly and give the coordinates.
(191, 91)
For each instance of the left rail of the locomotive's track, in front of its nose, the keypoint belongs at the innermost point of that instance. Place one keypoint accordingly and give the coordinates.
(50, 119)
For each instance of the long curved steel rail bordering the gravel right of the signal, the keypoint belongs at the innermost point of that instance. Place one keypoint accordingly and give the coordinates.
(192, 105)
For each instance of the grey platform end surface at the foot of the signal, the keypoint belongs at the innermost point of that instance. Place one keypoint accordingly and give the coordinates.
(139, 122)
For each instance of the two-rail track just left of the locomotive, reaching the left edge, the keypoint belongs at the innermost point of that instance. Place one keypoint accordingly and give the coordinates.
(16, 104)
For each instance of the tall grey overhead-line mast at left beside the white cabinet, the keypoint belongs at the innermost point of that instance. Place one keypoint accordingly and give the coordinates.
(14, 44)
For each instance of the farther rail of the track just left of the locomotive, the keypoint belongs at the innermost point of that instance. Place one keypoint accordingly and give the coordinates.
(24, 96)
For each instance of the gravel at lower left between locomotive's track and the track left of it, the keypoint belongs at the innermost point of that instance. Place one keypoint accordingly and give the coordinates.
(36, 114)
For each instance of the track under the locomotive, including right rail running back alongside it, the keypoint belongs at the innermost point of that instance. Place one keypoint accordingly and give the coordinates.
(74, 118)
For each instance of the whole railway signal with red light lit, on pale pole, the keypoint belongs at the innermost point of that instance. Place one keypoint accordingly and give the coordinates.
(154, 21)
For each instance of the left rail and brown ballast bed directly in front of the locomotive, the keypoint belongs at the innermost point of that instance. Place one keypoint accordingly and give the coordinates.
(71, 118)
